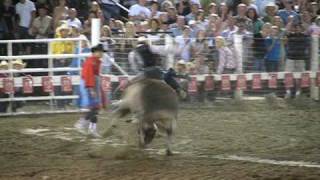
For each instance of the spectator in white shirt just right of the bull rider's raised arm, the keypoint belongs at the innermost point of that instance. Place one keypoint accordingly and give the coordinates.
(184, 44)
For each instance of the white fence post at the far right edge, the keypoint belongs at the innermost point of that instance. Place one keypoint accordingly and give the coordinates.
(314, 66)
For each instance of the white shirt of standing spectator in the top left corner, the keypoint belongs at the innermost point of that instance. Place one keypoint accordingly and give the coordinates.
(25, 13)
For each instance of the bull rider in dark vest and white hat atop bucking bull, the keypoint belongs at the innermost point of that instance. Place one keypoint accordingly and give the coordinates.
(146, 61)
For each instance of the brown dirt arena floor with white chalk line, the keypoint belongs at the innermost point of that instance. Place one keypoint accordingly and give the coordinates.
(269, 140)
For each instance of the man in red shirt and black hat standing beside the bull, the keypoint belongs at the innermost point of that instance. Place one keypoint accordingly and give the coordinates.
(91, 77)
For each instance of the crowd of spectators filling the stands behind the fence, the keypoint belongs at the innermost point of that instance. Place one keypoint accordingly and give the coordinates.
(275, 33)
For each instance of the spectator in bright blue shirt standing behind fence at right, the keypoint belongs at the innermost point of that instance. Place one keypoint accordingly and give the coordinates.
(275, 51)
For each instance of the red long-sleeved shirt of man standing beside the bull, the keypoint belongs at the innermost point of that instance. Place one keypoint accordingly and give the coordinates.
(90, 69)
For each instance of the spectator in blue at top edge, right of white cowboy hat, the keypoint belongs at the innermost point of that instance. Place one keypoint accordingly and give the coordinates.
(288, 11)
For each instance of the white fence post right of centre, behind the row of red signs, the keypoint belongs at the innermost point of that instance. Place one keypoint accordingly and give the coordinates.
(238, 46)
